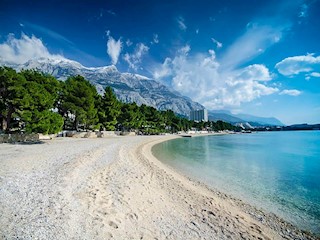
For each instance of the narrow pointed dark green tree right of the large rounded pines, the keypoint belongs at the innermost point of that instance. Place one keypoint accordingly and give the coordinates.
(109, 110)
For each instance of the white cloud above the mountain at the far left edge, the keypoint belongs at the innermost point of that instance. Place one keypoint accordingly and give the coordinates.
(19, 51)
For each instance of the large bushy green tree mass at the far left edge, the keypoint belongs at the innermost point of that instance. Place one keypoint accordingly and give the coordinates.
(28, 98)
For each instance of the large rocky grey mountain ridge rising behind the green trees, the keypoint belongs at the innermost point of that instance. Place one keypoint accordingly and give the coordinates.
(127, 86)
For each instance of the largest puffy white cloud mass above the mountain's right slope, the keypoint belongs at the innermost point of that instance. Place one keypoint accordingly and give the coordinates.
(200, 77)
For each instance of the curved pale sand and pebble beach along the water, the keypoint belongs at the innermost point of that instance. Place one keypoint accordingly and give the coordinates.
(111, 189)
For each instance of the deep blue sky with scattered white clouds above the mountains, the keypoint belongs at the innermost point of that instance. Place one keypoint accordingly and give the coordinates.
(247, 56)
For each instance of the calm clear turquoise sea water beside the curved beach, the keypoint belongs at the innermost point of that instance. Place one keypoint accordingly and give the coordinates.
(277, 171)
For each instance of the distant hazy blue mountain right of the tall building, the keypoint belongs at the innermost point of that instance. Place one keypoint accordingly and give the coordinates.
(245, 120)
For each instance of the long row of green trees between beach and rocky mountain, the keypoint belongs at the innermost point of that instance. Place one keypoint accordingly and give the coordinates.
(33, 102)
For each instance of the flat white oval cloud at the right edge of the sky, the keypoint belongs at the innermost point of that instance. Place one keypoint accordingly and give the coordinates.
(299, 64)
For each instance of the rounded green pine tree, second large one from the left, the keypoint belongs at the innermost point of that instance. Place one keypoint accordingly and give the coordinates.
(77, 103)
